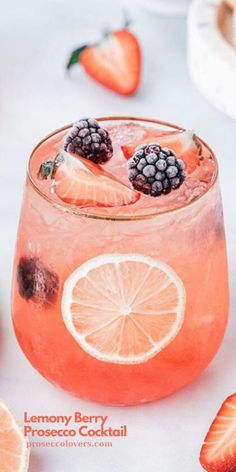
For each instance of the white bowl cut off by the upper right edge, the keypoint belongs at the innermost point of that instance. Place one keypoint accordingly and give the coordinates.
(211, 58)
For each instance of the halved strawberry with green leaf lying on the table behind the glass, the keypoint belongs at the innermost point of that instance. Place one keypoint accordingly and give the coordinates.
(115, 62)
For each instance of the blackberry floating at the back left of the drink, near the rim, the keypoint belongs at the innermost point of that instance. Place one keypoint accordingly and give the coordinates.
(88, 139)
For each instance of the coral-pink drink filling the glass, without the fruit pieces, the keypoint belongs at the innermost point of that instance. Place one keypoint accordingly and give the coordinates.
(190, 241)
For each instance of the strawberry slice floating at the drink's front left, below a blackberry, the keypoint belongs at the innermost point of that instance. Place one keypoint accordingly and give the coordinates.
(80, 182)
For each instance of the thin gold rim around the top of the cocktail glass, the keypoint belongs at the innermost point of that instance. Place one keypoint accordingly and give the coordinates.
(83, 213)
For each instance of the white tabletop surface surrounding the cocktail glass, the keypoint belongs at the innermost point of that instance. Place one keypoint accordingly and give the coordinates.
(36, 97)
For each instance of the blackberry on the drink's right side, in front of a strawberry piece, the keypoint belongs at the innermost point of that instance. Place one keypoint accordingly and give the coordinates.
(154, 170)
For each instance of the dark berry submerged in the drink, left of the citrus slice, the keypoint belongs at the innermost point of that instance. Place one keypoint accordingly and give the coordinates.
(36, 282)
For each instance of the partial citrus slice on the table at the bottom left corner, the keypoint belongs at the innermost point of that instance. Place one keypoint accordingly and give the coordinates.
(14, 453)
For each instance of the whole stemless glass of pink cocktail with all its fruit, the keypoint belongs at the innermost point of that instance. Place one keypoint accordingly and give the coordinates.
(120, 290)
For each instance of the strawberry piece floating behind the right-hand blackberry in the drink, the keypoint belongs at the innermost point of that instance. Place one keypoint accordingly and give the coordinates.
(184, 143)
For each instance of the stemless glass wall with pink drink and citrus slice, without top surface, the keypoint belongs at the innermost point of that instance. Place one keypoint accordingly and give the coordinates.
(120, 308)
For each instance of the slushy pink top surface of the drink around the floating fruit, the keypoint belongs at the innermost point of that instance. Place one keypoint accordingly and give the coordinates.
(122, 133)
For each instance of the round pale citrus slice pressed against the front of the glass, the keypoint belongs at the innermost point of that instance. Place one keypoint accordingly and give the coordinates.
(123, 308)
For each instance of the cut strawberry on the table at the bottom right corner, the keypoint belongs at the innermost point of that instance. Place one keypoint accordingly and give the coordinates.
(218, 453)
